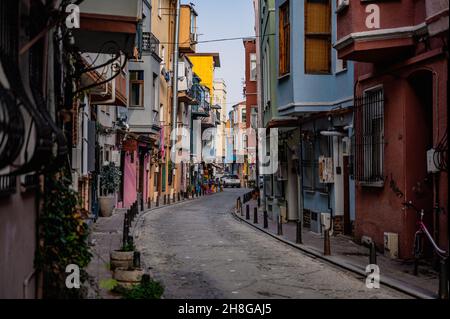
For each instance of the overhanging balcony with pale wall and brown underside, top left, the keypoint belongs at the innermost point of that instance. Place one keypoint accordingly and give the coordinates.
(108, 21)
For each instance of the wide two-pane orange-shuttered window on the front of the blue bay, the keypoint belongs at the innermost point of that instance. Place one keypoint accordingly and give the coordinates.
(317, 36)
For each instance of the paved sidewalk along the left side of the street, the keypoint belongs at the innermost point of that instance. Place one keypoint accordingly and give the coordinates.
(106, 236)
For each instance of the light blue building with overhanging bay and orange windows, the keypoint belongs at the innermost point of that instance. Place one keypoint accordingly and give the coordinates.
(314, 92)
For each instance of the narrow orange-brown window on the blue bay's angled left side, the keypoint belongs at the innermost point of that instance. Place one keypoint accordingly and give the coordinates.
(284, 30)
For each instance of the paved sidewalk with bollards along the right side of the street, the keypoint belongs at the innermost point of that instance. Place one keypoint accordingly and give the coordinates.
(347, 254)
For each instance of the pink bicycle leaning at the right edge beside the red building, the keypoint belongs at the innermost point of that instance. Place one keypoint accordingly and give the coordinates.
(418, 238)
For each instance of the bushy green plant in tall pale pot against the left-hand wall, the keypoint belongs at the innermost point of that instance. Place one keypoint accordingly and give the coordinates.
(109, 184)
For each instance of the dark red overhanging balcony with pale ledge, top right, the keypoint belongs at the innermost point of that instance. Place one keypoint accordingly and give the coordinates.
(392, 38)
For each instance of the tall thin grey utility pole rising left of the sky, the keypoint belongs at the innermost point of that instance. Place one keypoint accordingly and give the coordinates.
(174, 133)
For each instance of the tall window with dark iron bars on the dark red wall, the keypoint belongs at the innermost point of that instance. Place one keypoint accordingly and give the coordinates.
(369, 137)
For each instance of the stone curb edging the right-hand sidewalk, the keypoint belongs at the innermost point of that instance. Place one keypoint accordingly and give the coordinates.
(384, 280)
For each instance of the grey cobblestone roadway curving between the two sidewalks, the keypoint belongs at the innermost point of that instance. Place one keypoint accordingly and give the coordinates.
(199, 250)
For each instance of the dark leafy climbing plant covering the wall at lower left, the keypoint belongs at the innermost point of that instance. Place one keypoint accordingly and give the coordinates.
(63, 236)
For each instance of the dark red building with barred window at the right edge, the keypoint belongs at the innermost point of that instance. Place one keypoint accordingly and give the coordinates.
(400, 49)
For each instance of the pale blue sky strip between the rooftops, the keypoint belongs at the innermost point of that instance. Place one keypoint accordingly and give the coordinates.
(218, 19)
